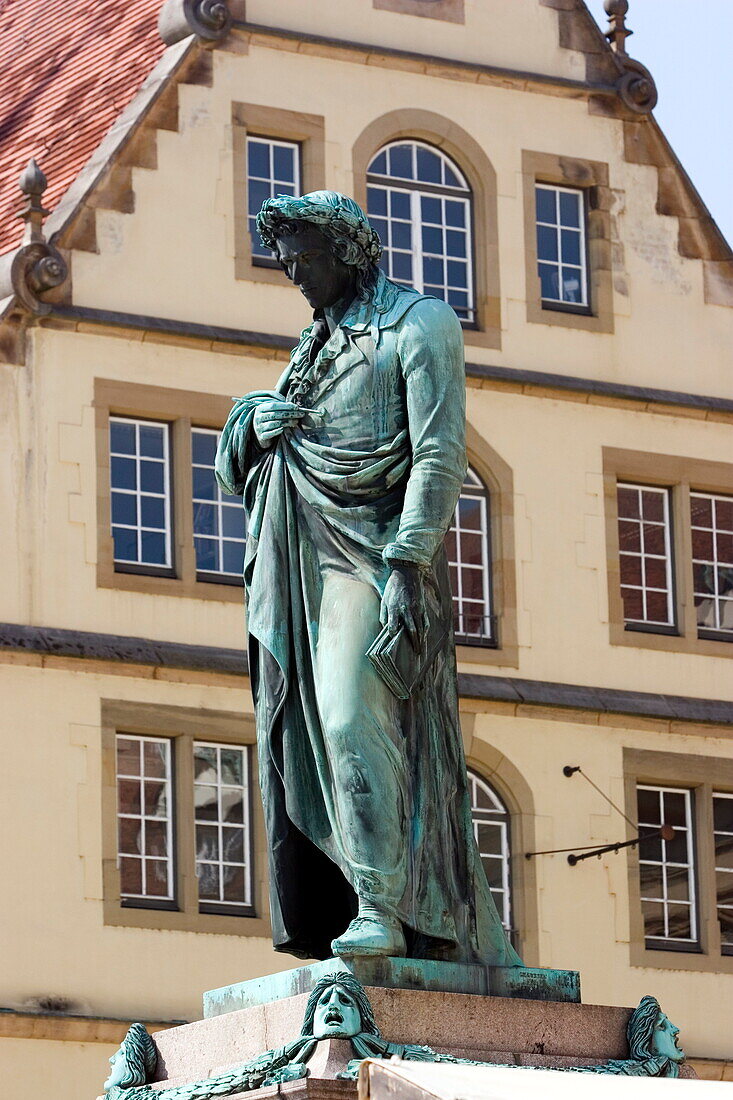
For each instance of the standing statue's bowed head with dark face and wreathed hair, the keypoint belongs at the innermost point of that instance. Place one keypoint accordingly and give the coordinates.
(324, 244)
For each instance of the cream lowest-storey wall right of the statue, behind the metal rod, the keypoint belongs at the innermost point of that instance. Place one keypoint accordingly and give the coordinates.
(584, 910)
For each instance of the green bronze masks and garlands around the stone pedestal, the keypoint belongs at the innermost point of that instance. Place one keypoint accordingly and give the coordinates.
(338, 1008)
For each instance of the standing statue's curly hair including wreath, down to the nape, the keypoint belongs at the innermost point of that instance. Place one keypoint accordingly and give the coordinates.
(342, 222)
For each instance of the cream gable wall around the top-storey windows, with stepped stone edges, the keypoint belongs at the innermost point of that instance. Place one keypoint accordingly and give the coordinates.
(192, 277)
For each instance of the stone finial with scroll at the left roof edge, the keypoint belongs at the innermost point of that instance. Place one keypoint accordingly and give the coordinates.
(37, 266)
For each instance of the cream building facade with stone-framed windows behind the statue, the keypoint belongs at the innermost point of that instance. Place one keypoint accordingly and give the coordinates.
(509, 159)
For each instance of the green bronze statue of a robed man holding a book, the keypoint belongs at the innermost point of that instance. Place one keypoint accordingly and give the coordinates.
(352, 470)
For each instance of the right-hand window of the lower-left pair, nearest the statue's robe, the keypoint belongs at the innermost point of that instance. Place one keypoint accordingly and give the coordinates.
(222, 809)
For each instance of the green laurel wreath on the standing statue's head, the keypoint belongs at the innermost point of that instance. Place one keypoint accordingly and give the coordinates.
(336, 218)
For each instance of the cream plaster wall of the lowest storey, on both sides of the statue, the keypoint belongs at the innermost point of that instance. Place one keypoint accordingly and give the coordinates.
(58, 943)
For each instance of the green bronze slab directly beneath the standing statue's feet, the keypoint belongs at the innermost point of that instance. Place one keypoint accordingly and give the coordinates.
(529, 983)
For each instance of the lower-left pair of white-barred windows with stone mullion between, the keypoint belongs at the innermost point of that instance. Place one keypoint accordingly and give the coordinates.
(184, 827)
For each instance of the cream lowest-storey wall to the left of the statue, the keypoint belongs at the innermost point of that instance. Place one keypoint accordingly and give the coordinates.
(54, 933)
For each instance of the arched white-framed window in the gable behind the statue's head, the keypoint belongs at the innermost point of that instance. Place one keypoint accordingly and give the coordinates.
(420, 204)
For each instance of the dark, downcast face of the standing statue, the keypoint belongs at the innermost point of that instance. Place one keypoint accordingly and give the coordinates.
(309, 262)
